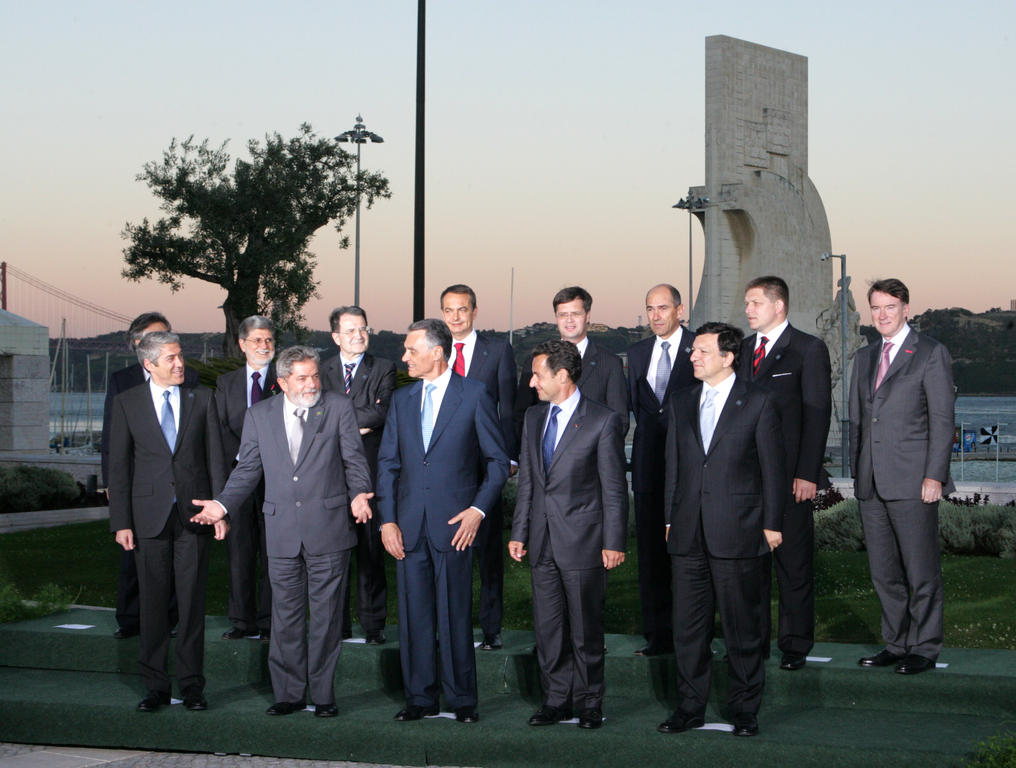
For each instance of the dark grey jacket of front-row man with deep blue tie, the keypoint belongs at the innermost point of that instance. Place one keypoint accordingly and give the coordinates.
(582, 503)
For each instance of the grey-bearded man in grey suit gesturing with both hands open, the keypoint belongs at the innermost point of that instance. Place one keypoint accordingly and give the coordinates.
(307, 446)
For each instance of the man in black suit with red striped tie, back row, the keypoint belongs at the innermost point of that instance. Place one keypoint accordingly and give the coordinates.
(794, 366)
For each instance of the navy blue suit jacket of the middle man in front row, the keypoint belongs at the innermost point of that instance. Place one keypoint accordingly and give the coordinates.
(466, 465)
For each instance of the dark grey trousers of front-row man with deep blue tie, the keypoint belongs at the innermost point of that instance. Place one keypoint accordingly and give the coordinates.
(568, 619)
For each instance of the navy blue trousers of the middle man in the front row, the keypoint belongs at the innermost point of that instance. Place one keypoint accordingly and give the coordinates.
(435, 600)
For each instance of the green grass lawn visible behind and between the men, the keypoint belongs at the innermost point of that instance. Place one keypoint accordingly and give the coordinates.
(980, 611)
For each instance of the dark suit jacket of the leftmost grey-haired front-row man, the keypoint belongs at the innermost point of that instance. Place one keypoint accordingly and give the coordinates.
(146, 476)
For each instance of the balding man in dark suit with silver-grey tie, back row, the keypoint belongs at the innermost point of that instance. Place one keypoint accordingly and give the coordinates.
(658, 367)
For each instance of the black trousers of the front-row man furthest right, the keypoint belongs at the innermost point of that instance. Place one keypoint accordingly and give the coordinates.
(702, 584)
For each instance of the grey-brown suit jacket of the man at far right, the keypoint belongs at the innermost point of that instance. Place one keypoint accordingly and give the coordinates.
(903, 433)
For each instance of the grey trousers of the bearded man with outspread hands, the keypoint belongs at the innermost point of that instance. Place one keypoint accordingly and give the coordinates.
(300, 665)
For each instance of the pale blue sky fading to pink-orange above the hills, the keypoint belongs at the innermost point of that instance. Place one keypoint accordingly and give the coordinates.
(559, 137)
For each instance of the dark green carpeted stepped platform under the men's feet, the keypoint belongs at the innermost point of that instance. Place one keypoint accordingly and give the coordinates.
(67, 686)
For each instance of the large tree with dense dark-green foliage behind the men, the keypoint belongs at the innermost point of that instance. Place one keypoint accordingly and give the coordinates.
(247, 229)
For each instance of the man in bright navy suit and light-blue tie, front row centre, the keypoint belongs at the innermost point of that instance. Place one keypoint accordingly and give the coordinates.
(442, 466)
